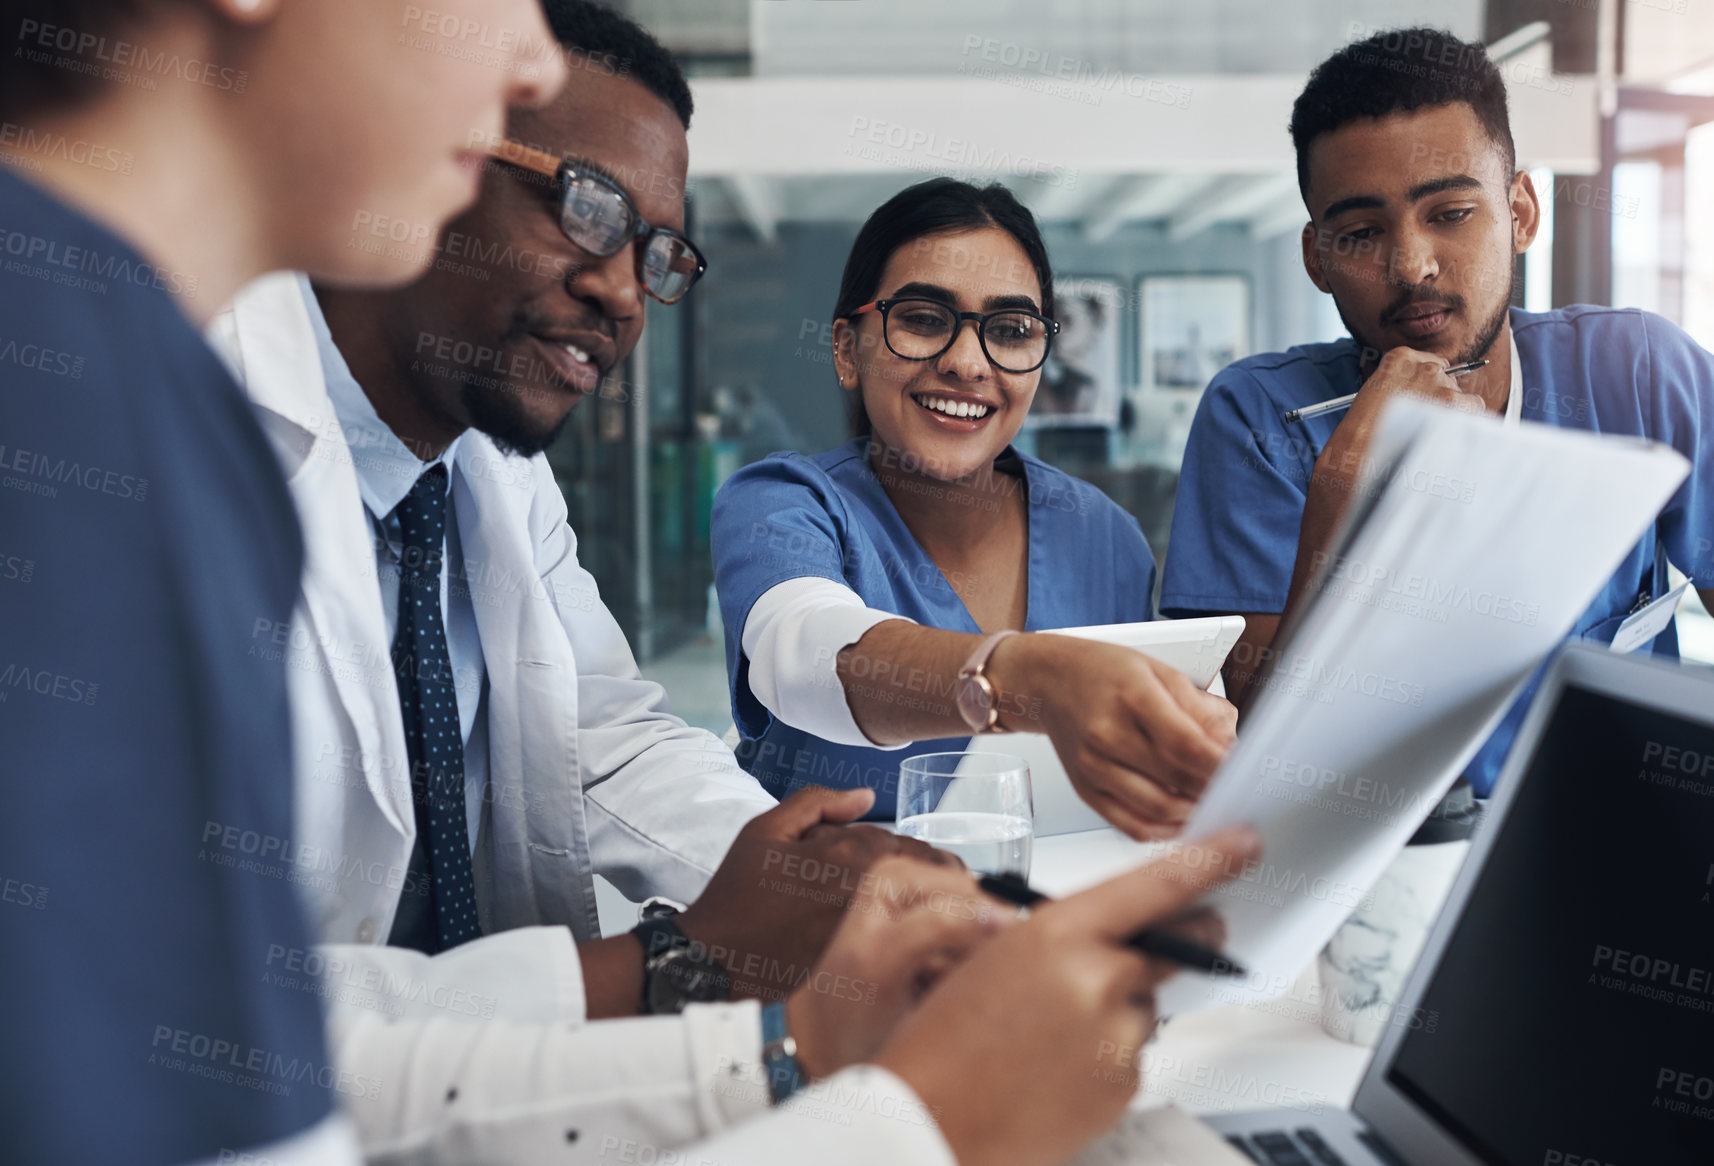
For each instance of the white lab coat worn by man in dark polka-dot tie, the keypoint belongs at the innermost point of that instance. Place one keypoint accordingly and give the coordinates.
(589, 771)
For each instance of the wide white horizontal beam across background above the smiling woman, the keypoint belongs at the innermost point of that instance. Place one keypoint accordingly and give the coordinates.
(844, 126)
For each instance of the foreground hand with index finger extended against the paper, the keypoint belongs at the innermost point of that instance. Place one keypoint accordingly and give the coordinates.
(1031, 1047)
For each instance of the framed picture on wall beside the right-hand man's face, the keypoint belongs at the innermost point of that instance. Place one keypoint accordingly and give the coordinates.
(1192, 327)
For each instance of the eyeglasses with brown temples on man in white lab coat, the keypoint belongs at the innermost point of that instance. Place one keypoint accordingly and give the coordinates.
(599, 217)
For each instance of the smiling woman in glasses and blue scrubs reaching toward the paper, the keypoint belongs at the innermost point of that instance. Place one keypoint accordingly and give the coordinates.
(861, 584)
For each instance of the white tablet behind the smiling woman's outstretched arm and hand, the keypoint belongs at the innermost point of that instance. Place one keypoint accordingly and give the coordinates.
(1196, 647)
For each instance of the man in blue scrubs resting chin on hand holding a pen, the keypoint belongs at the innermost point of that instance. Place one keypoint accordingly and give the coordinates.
(1417, 213)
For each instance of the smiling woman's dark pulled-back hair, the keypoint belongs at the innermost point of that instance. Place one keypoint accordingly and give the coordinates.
(938, 207)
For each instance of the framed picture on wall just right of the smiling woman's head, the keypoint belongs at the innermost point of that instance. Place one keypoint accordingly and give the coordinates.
(1081, 382)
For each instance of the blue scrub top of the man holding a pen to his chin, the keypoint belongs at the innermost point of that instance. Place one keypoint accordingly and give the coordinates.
(1609, 371)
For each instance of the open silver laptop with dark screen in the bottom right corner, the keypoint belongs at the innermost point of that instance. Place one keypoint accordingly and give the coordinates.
(1562, 1013)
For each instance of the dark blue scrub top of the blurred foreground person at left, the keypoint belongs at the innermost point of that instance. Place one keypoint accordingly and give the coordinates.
(148, 546)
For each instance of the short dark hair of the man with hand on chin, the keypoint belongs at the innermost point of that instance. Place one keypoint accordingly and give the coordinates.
(1399, 71)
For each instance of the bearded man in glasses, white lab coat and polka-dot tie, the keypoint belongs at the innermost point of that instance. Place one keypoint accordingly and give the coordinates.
(474, 740)
